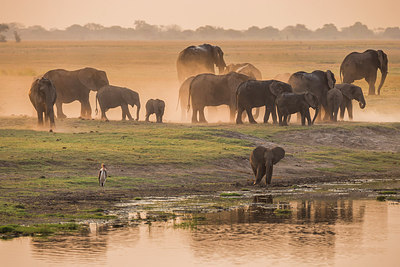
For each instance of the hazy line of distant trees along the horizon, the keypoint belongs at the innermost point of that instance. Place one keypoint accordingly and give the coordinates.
(141, 30)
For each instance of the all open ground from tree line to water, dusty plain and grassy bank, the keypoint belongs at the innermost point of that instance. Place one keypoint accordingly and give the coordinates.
(52, 176)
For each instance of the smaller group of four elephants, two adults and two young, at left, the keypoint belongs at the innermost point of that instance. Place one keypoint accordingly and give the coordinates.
(61, 86)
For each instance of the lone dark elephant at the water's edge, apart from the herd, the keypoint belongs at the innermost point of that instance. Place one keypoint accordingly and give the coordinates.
(262, 160)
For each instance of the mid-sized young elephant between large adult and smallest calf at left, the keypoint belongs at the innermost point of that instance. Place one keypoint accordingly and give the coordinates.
(110, 96)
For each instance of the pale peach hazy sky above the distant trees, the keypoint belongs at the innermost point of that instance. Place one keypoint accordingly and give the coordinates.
(236, 14)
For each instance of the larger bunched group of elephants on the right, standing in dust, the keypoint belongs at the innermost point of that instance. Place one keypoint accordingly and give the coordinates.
(241, 87)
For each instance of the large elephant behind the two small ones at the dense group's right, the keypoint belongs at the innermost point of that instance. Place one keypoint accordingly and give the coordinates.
(318, 83)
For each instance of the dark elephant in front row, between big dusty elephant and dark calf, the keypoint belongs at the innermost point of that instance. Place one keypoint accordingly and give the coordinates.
(252, 94)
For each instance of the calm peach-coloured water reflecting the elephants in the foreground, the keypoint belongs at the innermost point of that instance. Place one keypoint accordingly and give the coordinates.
(334, 232)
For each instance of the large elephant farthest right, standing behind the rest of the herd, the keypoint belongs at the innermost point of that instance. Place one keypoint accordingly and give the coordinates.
(356, 66)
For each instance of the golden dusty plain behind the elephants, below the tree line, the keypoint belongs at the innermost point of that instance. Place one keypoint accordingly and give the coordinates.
(150, 70)
